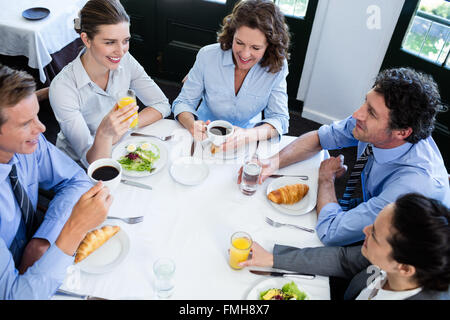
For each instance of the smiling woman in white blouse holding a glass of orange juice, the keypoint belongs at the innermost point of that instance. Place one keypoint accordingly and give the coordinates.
(84, 94)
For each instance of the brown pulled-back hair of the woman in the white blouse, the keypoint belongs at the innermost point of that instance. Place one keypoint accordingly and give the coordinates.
(99, 12)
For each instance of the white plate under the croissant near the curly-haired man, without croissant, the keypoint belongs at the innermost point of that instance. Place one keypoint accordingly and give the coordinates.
(303, 206)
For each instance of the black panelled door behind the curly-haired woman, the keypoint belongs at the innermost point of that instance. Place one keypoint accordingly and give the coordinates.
(167, 34)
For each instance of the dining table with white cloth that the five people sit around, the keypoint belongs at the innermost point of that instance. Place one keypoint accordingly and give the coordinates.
(193, 225)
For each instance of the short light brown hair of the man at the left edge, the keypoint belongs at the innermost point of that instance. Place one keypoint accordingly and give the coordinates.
(14, 86)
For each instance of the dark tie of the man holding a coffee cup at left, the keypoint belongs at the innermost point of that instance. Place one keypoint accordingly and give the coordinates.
(24, 202)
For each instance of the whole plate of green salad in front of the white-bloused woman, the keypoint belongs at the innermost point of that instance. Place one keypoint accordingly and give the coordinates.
(141, 157)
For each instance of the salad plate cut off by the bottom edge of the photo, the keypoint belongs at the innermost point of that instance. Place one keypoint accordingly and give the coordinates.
(286, 285)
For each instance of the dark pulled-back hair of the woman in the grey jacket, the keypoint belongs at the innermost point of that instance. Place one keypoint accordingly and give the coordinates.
(421, 238)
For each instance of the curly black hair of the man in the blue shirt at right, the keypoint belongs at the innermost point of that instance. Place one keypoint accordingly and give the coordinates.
(412, 98)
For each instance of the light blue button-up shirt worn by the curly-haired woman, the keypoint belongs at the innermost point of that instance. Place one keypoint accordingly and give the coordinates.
(212, 80)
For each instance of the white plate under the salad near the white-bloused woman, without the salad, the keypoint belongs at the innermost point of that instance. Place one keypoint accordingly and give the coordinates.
(121, 150)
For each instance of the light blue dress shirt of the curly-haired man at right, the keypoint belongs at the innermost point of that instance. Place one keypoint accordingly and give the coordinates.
(387, 175)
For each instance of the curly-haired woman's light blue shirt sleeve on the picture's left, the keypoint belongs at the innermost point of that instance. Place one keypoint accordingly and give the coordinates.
(191, 93)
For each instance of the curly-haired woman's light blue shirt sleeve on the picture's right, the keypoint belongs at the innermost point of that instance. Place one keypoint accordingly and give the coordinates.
(277, 112)
